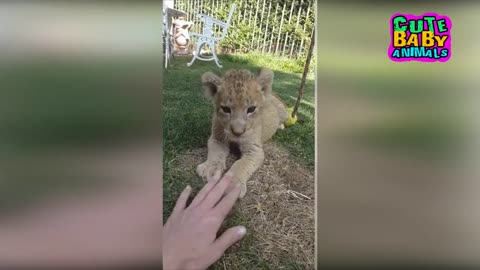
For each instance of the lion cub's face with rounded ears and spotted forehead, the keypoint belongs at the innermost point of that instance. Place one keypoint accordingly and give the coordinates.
(238, 96)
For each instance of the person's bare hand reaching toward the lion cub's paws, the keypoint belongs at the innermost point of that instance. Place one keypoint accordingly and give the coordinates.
(190, 233)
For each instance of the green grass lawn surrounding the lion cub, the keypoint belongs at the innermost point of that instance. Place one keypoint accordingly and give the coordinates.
(187, 122)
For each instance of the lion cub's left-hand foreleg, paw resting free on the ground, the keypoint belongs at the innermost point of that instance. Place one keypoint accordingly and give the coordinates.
(212, 169)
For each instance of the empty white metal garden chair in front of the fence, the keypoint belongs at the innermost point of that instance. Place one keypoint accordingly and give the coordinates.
(208, 36)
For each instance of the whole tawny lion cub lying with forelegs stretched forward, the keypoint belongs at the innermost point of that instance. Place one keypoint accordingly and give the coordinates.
(246, 115)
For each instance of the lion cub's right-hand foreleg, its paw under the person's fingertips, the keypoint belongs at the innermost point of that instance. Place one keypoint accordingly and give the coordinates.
(242, 169)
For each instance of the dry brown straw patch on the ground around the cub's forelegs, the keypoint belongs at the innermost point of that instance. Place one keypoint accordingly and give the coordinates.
(278, 212)
